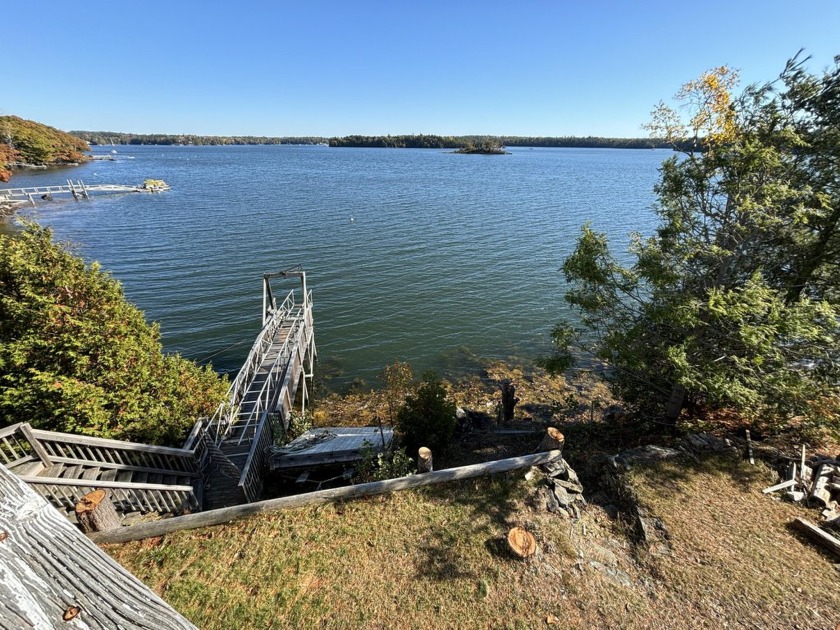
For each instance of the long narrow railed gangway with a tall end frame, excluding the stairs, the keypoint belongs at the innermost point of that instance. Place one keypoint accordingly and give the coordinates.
(261, 398)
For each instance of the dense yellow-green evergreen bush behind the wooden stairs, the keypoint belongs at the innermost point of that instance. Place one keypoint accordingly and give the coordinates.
(75, 356)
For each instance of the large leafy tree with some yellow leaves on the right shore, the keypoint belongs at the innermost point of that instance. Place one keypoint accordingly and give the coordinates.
(734, 300)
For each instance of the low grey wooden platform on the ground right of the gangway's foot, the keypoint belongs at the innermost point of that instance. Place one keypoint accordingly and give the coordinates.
(329, 446)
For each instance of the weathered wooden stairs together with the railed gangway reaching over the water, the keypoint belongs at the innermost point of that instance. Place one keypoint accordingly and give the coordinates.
(222, 461)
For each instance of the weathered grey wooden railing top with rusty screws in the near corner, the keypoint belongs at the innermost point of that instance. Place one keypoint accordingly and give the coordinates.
(52, 573)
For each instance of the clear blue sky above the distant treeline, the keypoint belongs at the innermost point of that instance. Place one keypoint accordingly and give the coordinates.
(325, 68)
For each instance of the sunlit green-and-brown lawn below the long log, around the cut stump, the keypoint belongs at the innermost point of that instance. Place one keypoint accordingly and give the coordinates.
(435, 558)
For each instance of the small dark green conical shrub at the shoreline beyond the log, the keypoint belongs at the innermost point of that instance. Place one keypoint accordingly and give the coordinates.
(428, 417)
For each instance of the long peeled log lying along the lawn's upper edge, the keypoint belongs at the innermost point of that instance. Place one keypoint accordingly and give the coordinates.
(225, 515)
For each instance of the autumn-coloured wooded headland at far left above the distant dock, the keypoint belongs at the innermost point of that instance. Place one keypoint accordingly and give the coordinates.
(29, 143)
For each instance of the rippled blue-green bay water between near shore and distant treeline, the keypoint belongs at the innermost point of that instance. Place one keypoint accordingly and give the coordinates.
(450, 257)
